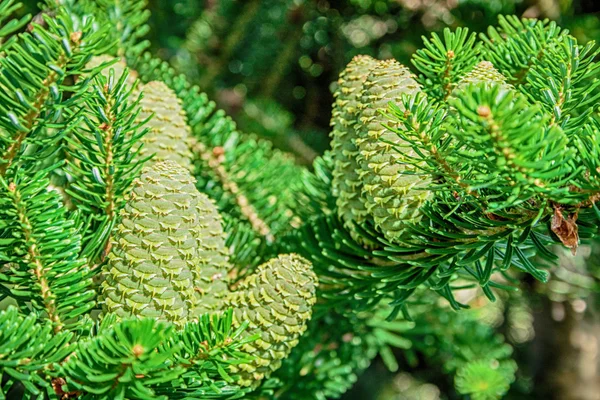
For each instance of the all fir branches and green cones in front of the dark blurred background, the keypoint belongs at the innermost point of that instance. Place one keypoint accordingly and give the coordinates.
(151, 250)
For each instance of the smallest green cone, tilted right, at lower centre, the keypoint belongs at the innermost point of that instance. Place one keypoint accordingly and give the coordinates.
(277, 302)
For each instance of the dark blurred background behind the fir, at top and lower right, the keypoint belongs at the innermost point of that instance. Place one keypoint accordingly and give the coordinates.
(271, 65)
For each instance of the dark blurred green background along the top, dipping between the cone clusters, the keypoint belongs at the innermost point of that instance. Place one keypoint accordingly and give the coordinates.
(271, 63)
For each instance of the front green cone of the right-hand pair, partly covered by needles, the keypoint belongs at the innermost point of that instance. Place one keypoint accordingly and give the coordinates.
(393, 191)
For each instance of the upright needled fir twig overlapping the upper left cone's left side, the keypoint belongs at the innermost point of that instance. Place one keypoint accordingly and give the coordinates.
(102, 149)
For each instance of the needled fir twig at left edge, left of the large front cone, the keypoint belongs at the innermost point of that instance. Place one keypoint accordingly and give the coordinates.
(61, 284)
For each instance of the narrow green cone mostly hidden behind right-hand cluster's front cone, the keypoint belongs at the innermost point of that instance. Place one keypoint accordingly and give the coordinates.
(346, 184)
